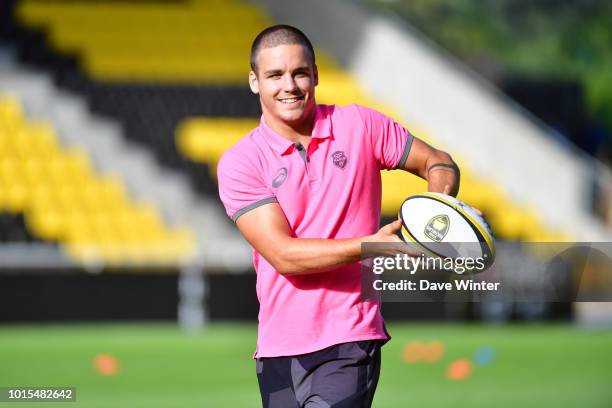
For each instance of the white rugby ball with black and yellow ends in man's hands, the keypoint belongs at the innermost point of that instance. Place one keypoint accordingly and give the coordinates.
(443, 226)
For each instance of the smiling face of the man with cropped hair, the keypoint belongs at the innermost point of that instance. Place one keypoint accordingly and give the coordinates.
(285, 81)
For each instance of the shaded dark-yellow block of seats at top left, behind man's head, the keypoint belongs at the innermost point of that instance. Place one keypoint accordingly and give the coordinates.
(180, 42)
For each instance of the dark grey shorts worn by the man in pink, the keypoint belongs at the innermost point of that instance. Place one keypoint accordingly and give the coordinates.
(341, 376)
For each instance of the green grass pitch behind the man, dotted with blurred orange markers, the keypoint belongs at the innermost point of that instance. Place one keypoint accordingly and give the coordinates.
(162, 366)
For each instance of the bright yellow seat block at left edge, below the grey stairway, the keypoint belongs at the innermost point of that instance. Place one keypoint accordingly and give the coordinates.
(63, 199)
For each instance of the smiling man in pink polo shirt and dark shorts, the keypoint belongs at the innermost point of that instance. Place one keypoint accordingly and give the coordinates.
(304, 189)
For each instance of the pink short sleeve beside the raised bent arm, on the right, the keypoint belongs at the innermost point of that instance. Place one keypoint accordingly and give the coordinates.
(391, 142)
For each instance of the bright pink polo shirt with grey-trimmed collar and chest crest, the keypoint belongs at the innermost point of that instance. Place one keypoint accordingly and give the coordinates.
(333, 191)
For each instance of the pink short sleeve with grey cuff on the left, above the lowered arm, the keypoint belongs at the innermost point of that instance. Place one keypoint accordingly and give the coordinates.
(241, 188)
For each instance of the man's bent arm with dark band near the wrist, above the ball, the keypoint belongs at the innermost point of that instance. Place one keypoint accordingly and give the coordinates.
(435, 166)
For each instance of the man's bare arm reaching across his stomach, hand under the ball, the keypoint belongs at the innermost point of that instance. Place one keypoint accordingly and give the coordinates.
(266, 229)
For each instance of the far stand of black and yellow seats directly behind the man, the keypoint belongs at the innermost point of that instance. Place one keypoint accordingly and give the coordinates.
(175, 75)
